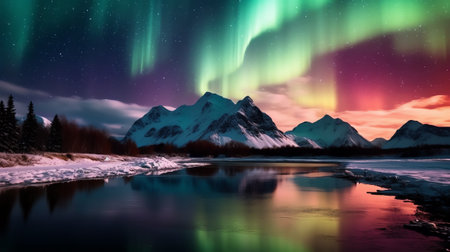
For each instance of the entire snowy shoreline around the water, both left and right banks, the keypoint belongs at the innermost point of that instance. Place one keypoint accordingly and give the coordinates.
(426, 182)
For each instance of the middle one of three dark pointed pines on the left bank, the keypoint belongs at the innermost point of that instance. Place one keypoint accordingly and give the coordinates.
(29, 136)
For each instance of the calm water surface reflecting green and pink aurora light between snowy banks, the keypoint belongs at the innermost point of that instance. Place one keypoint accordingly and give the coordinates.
(223, 207)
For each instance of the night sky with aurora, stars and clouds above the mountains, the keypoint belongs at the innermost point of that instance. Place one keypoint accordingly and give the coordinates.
(373, 63)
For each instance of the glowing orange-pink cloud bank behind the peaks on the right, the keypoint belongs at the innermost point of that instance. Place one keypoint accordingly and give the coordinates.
(287, 113)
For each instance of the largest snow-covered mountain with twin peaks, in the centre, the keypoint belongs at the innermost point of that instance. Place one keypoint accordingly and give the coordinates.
(212, 118)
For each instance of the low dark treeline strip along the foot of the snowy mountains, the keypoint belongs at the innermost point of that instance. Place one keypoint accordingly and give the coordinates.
(235, 149)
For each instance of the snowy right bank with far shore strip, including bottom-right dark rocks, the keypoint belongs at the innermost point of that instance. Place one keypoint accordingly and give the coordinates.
(424, 181)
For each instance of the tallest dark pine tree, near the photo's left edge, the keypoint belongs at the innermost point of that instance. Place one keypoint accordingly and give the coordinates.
(11, 129)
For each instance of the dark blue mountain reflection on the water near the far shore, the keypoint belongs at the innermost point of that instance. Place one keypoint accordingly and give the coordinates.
(246, 179)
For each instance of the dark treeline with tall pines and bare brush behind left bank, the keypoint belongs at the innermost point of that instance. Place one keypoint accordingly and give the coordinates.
(62, 135)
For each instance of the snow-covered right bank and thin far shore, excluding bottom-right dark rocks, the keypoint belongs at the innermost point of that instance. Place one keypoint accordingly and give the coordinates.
(426, 181)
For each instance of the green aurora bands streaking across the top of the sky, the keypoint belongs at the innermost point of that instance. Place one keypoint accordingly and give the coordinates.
(246, 45)
